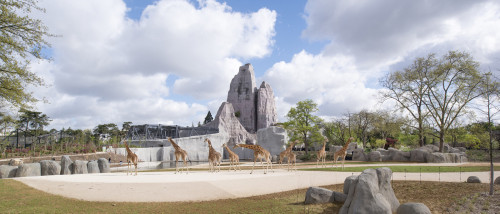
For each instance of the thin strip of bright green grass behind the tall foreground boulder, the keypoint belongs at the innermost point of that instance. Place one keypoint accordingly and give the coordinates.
(412, 168)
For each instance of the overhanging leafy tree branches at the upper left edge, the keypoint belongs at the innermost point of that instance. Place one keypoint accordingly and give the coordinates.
(21, 39)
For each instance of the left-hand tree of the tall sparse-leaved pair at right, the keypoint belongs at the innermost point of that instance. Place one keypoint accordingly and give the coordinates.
(408, 89)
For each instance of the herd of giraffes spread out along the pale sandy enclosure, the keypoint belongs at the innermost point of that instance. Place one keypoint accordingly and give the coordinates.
(215, 158)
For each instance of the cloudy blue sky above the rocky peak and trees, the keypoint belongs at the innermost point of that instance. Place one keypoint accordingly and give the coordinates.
(171, 61)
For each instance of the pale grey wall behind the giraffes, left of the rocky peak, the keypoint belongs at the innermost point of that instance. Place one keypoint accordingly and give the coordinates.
(195, 146)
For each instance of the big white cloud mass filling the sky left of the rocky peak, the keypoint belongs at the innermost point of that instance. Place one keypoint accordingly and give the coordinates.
(109, 68)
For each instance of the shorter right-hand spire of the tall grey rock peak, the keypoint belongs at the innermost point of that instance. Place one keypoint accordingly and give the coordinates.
(266, 107)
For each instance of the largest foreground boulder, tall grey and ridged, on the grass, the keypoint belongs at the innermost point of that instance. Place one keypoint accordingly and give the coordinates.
(371, 192)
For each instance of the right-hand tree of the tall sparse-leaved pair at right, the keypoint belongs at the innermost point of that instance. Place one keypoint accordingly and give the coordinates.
(452, 84)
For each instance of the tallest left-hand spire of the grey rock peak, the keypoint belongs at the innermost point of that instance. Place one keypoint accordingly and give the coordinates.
(242, 95)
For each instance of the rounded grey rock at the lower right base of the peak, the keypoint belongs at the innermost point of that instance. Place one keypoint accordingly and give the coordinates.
(273, 139)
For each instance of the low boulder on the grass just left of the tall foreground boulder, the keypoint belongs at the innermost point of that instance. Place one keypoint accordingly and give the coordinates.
(318, 195)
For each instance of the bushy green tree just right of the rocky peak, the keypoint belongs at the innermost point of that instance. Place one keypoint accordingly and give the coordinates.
(302, 124)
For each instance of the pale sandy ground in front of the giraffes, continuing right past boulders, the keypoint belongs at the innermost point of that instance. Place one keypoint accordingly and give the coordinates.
(203, 185)
